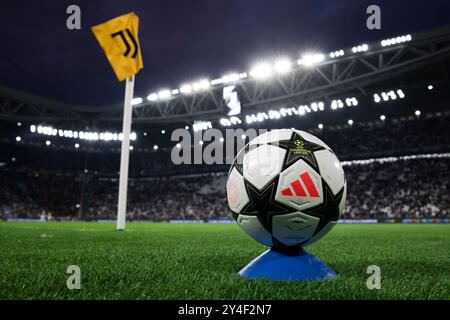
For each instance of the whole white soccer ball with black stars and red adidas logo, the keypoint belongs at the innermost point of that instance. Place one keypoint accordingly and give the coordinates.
(286, 189)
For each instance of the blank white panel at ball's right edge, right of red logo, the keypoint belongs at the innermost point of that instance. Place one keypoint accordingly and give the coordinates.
(331, 170)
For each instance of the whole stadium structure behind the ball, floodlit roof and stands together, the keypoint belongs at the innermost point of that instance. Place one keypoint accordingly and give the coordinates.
(388, 101)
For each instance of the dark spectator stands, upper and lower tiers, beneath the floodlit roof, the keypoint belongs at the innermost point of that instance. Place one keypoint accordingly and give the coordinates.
(61, 187)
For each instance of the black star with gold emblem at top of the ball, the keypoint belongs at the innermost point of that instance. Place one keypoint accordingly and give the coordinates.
(299, 148)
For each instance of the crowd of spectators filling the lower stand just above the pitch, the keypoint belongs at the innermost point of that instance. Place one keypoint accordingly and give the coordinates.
(417, 188)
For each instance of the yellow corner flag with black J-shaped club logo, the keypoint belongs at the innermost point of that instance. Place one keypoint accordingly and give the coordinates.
(118, 38)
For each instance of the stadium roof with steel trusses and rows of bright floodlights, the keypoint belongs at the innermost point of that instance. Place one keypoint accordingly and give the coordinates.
(371, 73)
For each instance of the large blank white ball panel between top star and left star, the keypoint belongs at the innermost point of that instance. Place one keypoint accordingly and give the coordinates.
(262, 164)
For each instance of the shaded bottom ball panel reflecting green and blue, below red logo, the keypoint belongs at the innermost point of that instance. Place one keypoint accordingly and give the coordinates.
(294, 228)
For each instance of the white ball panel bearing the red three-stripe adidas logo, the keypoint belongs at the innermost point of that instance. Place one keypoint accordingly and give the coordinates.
(296, 190)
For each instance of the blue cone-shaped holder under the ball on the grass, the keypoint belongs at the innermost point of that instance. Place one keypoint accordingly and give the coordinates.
(275, 265)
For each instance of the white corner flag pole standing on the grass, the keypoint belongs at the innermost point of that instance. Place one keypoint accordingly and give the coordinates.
(125, 153)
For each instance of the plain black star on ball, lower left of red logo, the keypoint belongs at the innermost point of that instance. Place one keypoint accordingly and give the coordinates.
(262, 203)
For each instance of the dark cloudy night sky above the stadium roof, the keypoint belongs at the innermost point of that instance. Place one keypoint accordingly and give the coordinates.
(184, 40)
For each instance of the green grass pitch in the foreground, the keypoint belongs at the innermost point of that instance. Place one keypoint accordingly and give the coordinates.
(200, 261)
